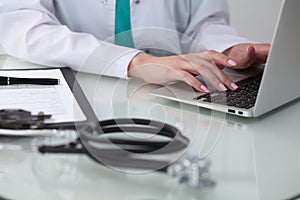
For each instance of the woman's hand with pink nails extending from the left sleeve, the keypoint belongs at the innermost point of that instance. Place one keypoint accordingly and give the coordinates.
(172, 68)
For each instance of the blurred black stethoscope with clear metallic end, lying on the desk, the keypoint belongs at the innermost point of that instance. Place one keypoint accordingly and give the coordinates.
(114, 143)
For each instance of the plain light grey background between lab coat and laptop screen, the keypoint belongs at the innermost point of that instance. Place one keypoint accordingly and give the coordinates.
(254, 19)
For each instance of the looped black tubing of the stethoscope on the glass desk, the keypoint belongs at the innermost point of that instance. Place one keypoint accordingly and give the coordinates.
(125, 151)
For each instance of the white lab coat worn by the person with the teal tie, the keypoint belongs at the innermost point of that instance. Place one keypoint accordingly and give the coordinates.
(80, 34)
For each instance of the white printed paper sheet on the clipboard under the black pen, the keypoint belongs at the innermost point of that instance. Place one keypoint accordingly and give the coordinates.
(56, 100)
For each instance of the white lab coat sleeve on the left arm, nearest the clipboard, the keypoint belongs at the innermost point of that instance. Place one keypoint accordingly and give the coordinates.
(31, 32)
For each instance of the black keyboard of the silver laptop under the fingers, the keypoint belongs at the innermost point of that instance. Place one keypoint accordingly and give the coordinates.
(243, 97)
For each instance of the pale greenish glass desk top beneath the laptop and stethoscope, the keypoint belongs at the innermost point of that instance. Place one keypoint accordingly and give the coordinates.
(250, 158)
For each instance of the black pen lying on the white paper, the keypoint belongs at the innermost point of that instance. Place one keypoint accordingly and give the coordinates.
(4, 80)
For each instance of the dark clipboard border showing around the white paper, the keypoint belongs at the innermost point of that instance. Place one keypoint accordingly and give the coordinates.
(78, 95)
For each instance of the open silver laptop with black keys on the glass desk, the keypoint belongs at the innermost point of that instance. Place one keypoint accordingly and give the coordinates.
(271, 86)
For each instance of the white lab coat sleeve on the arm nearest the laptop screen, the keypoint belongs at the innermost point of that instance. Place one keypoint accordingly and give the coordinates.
(209, 25)
